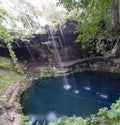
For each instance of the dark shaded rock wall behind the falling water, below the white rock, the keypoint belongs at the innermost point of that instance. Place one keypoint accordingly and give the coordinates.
(40, 46)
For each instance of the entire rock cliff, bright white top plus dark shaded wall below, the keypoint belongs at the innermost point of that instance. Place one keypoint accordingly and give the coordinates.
(27, 19)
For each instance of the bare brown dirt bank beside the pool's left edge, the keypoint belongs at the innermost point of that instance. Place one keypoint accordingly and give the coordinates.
(10, 93)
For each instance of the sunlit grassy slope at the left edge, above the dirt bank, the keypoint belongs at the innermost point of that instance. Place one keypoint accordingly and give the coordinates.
(8, 75)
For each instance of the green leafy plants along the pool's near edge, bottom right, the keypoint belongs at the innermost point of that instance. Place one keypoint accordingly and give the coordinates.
(104, 117)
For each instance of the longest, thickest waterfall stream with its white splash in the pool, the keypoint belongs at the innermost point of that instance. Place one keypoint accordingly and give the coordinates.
(66, 86)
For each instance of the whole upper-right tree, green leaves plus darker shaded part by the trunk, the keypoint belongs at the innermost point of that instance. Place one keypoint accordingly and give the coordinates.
(95, 20)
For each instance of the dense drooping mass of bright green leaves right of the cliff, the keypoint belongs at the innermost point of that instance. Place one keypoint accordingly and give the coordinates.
(90, 24)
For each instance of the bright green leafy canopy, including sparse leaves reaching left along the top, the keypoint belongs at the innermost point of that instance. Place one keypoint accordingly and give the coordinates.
(95, 11)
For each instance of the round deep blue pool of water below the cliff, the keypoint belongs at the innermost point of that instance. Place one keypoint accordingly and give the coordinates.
(47, 99)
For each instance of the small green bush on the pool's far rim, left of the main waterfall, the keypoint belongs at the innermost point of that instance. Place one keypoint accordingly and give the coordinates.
(47, 73)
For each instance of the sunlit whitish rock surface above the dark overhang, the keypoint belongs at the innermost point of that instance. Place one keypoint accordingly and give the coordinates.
(29, 16)
